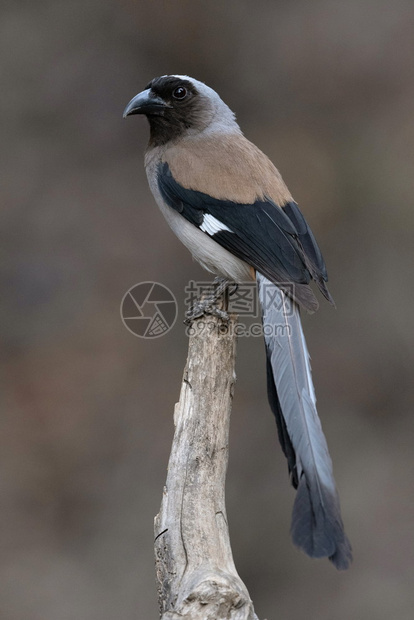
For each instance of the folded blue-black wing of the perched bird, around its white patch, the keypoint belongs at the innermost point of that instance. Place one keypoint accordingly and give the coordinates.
(277, 242)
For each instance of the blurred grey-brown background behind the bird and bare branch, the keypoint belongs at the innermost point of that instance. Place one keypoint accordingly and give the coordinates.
(326, 89)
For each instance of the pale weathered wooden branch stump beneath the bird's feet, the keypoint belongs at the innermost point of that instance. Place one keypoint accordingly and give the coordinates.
(196, 576)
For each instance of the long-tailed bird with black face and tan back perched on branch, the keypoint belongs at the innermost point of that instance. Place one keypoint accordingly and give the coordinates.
(228, 204)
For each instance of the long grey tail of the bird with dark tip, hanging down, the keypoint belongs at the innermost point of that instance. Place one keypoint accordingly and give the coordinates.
(317, 526)
